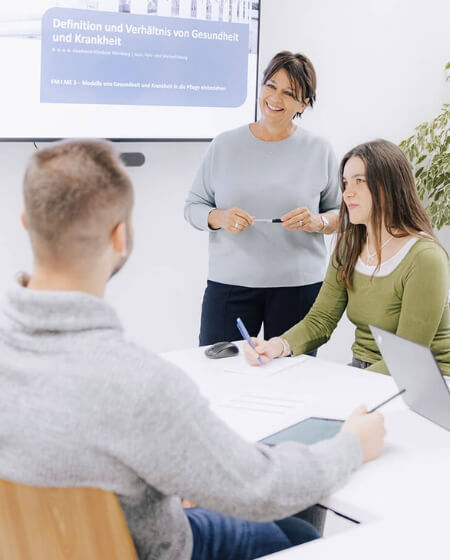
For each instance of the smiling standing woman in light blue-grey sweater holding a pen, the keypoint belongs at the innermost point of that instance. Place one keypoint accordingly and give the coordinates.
(266, 273)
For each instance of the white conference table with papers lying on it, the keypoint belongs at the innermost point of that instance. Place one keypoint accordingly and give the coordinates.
(402, 499)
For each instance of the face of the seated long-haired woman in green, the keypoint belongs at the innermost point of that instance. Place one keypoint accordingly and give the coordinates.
(356, 195)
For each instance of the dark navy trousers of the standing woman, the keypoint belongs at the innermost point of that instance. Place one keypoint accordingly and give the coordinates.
(278, 308)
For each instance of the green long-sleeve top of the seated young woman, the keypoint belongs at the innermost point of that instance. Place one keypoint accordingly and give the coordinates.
(411, 301)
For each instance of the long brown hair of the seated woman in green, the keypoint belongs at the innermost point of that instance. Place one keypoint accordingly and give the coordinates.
(394, 202)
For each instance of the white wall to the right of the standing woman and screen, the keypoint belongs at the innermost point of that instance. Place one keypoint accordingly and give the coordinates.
(380, 67)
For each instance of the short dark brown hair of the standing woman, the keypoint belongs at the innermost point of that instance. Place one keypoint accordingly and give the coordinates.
(300, 70)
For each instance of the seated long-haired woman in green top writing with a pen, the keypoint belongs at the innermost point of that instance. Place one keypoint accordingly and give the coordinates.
(387, 270)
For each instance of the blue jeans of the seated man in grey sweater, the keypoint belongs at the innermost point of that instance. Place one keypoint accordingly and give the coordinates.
(222, 537)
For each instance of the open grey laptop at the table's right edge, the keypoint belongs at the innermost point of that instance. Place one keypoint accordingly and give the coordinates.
(414, 369)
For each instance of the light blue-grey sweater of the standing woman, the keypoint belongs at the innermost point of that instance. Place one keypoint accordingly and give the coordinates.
(266, 179)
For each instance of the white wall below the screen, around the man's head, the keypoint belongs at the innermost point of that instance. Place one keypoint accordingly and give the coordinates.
(158, 293)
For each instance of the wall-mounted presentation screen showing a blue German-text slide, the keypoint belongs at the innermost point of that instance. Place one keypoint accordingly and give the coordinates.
(127, 69)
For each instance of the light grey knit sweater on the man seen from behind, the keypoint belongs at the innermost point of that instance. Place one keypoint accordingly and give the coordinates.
(80, 406)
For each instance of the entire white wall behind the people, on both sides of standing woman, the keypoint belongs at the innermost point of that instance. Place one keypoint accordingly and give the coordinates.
(380, 69)
